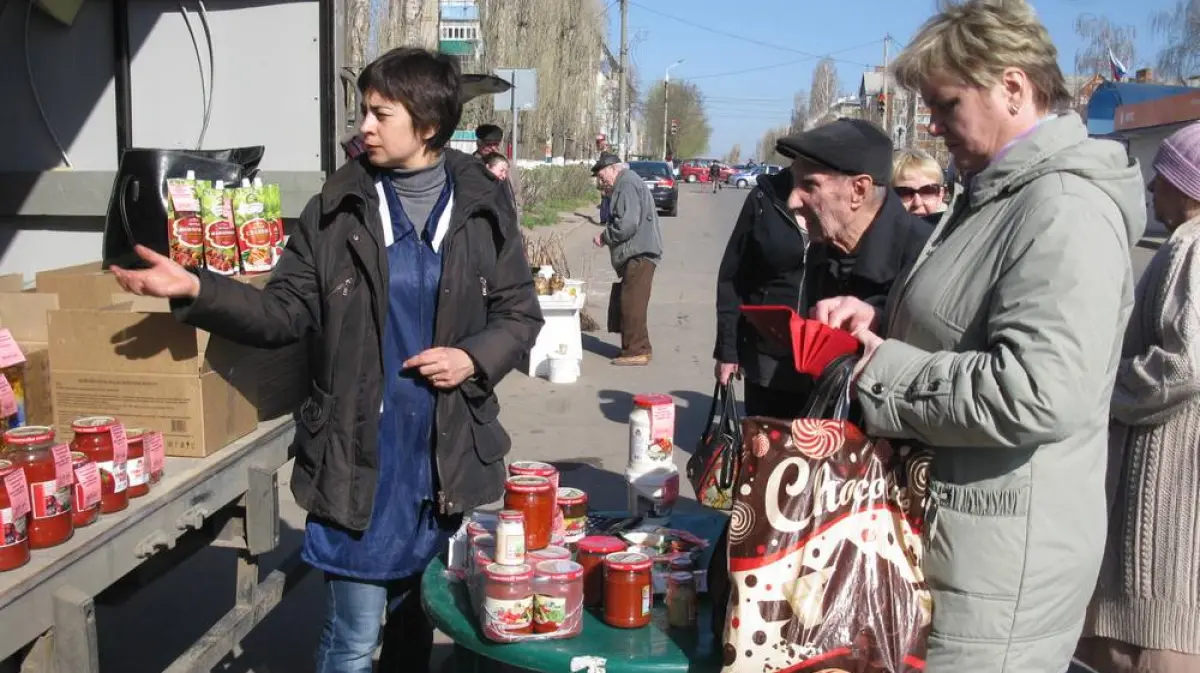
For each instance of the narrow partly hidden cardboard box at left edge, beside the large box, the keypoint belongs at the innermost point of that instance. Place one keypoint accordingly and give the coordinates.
(25, 315)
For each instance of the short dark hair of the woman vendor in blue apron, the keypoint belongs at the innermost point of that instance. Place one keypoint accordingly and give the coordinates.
(427, 83)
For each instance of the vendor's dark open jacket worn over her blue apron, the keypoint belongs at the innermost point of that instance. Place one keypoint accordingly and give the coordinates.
(333, 284)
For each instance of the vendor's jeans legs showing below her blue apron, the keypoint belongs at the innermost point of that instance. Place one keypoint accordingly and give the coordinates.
(352, 630)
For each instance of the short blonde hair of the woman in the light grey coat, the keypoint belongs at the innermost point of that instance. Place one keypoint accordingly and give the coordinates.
(976, 40)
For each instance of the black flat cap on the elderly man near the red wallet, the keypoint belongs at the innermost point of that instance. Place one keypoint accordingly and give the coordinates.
(854, 147)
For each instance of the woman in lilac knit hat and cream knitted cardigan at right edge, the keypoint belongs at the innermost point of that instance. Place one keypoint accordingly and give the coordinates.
(1145, 616)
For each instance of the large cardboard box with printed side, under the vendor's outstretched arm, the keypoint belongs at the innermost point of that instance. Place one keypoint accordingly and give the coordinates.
(152, 371)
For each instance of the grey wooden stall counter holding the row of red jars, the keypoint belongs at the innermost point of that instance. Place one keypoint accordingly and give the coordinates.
(229, 498)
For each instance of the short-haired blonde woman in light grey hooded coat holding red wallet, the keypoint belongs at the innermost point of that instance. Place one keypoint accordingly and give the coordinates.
(1003, 342)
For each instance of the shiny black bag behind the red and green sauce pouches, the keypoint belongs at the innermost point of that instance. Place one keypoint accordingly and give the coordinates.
(137, 208)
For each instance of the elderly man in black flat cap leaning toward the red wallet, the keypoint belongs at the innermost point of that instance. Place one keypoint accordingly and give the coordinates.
(862, 237)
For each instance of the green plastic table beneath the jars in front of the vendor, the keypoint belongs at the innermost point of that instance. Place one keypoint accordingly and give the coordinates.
(657, 648)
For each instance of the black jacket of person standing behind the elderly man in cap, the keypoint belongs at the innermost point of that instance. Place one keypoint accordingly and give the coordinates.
(764, 265)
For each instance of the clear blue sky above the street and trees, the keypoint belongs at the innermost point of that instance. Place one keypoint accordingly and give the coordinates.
(766, 33)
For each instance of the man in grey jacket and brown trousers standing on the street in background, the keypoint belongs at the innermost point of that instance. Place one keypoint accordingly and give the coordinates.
(635, 245)
